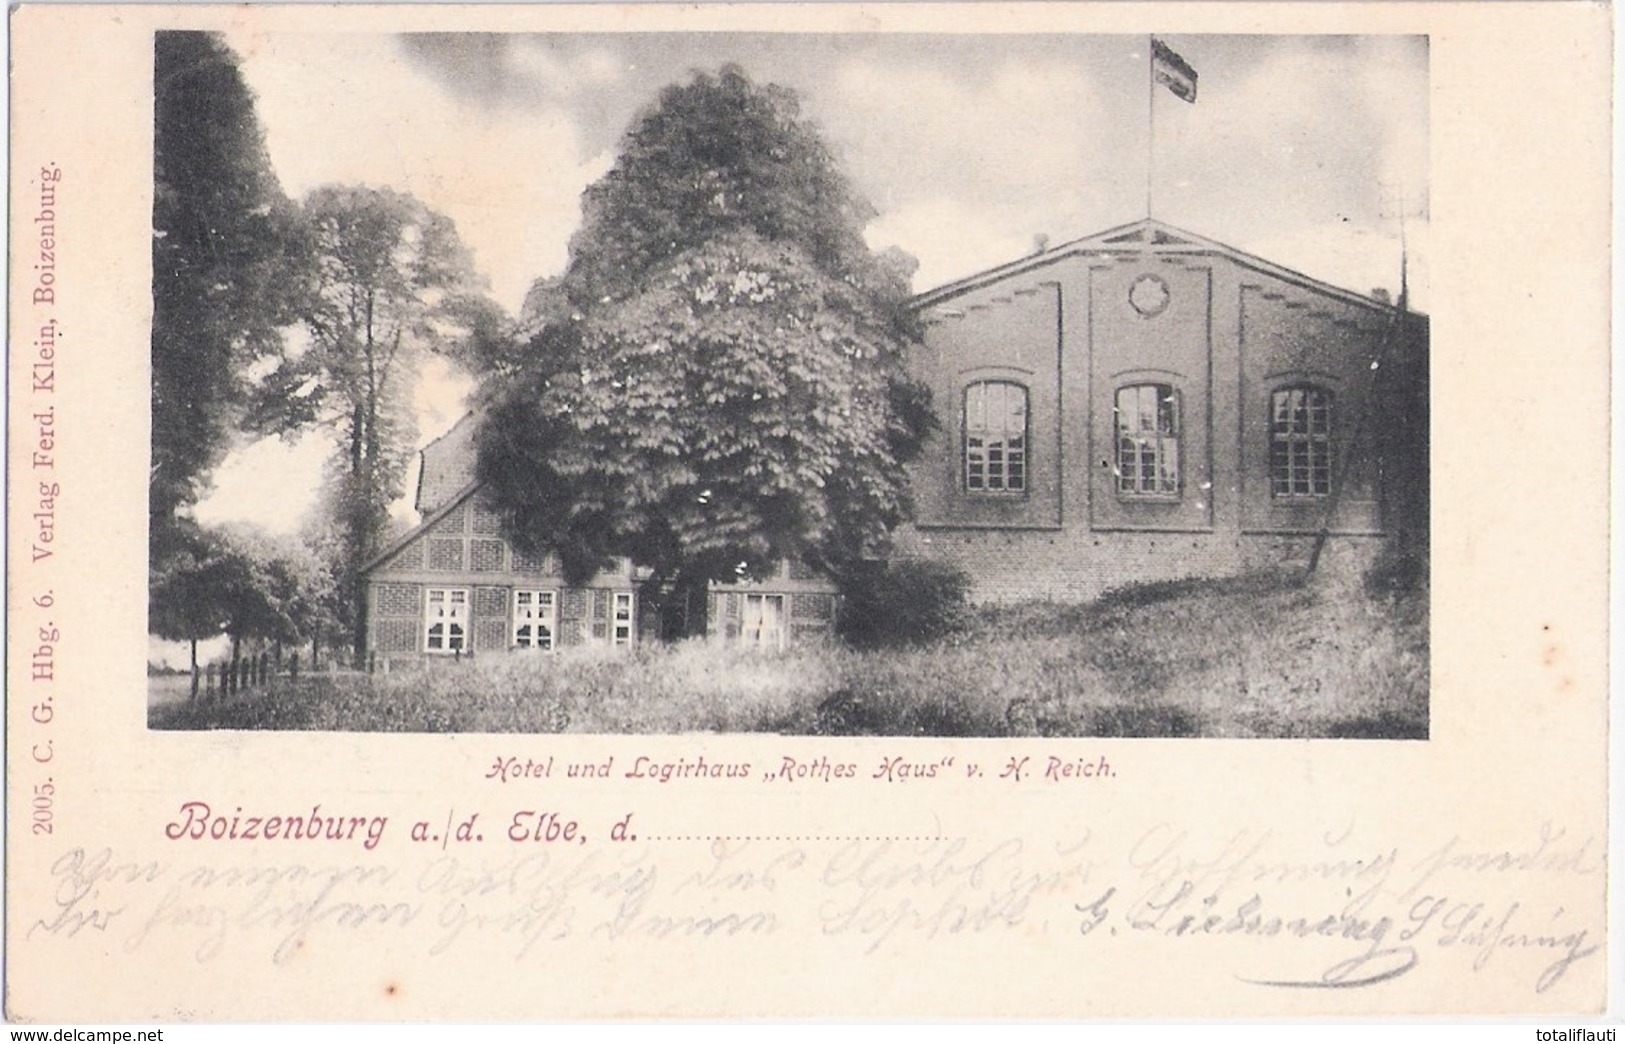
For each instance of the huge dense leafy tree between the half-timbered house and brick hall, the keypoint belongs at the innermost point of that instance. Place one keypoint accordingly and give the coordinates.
(719, 380)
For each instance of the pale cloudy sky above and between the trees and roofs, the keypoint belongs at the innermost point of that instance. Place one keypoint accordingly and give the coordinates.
(1304, 150)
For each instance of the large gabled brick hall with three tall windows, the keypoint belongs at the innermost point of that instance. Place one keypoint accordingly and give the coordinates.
(1146, 404)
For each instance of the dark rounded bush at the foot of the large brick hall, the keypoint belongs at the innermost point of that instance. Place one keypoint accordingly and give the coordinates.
(904, 602)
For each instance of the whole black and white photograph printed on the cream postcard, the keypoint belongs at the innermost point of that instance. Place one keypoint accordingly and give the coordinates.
(960, 386)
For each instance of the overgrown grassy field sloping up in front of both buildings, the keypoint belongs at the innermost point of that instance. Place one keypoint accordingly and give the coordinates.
(1263, 656)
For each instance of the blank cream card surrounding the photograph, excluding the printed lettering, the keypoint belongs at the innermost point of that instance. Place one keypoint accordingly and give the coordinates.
(1504, 807)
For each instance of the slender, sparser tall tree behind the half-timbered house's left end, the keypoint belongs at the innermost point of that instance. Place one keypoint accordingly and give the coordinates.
(392, 284)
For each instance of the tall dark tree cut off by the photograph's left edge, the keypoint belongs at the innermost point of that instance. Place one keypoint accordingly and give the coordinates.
(228, 269)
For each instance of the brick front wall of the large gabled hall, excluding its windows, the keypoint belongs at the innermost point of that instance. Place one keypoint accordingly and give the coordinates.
(1226, 337)
